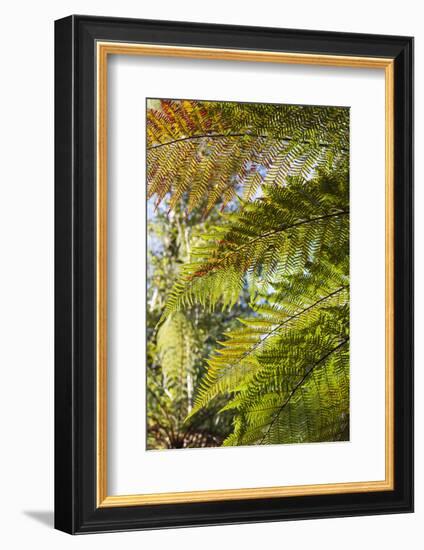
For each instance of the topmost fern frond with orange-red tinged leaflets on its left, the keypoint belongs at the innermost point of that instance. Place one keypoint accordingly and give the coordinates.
(213, 151)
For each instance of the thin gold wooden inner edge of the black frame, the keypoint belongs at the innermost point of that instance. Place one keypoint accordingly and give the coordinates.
(103, 49)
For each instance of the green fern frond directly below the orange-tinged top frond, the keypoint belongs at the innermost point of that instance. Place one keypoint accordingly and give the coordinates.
(282, 233)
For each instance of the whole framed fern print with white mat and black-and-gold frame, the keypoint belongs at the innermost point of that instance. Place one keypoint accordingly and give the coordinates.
(234, 274)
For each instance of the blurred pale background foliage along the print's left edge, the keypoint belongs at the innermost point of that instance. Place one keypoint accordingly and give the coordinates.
(176, 350)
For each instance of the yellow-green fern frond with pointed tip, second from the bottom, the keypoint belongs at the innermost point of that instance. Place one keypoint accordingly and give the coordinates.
(247, 351)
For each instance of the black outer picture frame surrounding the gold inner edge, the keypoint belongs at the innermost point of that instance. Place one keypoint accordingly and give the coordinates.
(76, 510)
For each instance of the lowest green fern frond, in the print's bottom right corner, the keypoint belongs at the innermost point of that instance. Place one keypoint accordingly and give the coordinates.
(314, 408)
